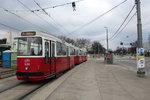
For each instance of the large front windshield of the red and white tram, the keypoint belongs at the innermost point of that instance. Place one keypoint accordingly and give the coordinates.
(29, 46)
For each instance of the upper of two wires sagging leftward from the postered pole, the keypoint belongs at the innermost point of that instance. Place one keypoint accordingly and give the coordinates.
(122, 23)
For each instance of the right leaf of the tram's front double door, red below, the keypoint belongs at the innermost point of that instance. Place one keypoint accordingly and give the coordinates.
(52, 58)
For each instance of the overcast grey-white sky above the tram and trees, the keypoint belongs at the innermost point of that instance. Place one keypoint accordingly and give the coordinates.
(63, 20)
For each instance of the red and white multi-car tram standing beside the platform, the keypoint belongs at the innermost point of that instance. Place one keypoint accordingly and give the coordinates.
(42, 56)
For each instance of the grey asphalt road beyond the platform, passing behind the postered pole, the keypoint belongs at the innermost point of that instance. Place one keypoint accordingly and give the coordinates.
(131, 63)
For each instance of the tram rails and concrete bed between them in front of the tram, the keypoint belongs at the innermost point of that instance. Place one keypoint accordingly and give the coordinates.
(21, 90)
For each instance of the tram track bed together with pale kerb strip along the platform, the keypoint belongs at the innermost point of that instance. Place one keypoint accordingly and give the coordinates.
(24, 90)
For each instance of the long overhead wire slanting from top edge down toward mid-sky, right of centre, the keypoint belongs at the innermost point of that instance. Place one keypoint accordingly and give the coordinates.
(98, 17)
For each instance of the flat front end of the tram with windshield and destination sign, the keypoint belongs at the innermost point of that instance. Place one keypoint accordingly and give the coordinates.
(30, 57)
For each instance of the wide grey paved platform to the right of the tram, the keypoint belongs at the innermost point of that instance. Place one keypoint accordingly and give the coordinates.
(94, 80)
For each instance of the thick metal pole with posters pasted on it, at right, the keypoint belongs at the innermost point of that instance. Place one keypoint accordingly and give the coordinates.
(140, 70)
